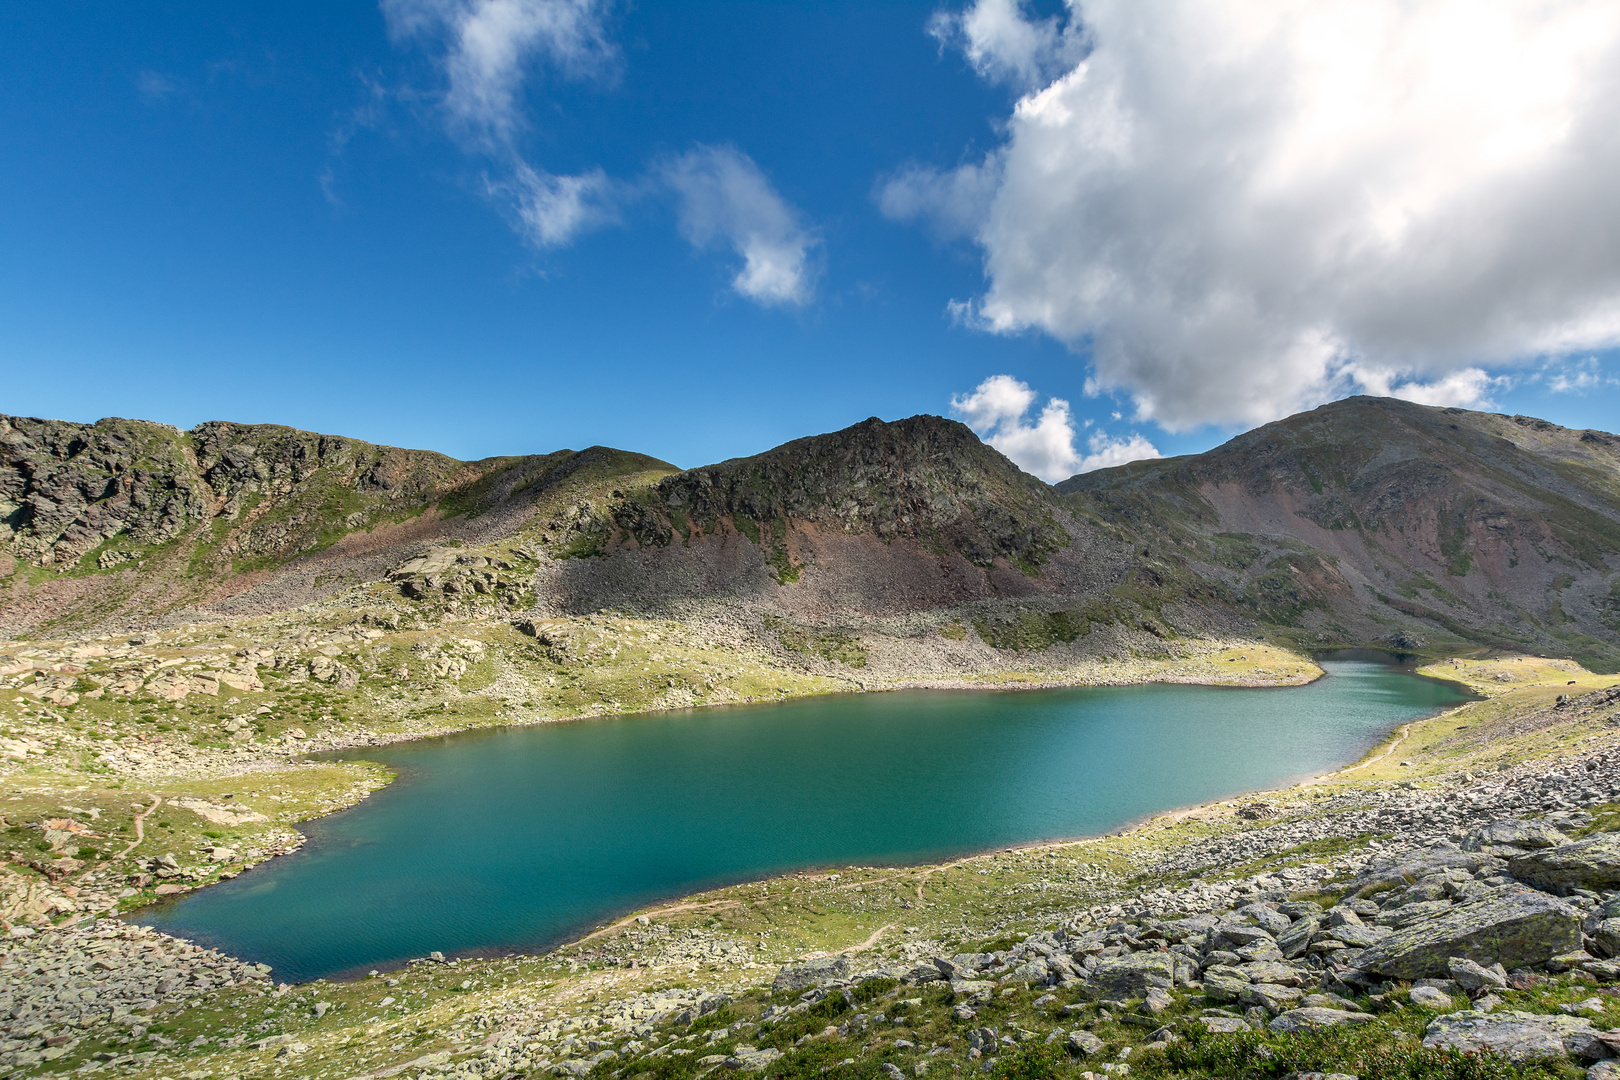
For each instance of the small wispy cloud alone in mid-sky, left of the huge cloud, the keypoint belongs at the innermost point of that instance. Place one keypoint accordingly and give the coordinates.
(725, 198)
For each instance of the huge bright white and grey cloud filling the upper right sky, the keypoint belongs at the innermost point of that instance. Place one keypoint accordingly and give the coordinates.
(1245, 208)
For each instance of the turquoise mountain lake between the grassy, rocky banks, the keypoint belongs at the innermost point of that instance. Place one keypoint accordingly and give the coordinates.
(522, 838)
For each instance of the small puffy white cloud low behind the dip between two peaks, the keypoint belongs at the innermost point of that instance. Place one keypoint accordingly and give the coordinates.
(999, 410)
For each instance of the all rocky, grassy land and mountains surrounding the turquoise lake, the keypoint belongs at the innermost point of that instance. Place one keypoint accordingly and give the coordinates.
(190, 614)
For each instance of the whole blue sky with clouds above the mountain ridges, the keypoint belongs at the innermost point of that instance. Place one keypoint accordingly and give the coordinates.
(785, 218)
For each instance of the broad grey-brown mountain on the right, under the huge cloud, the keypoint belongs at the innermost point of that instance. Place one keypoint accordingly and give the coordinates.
(1375, 519)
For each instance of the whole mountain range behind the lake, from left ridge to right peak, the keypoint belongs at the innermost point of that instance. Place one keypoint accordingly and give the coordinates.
(1365, 522)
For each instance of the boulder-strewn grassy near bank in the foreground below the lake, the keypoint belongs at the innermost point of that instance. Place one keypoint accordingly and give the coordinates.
(1460, 899)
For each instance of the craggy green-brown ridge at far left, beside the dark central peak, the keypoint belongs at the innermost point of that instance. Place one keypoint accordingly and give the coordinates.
(121, 522)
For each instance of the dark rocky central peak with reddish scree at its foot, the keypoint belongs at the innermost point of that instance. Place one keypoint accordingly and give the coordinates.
(876, 521)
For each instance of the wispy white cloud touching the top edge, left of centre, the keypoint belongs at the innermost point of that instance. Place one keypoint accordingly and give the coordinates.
(490, 46)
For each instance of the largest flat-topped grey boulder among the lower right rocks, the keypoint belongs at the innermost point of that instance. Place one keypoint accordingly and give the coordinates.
(1517, 930)
